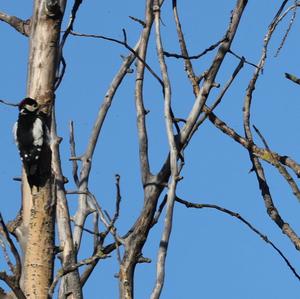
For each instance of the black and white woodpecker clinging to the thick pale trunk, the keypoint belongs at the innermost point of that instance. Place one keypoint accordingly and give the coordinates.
(29, 133)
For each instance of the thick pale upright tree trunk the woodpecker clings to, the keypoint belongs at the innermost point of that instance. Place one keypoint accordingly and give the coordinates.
(39, 203)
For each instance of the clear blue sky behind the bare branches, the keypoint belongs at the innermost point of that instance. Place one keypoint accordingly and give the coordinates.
(211, 255)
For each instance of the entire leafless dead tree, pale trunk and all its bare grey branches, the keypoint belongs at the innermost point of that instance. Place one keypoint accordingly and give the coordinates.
(47, 206)
